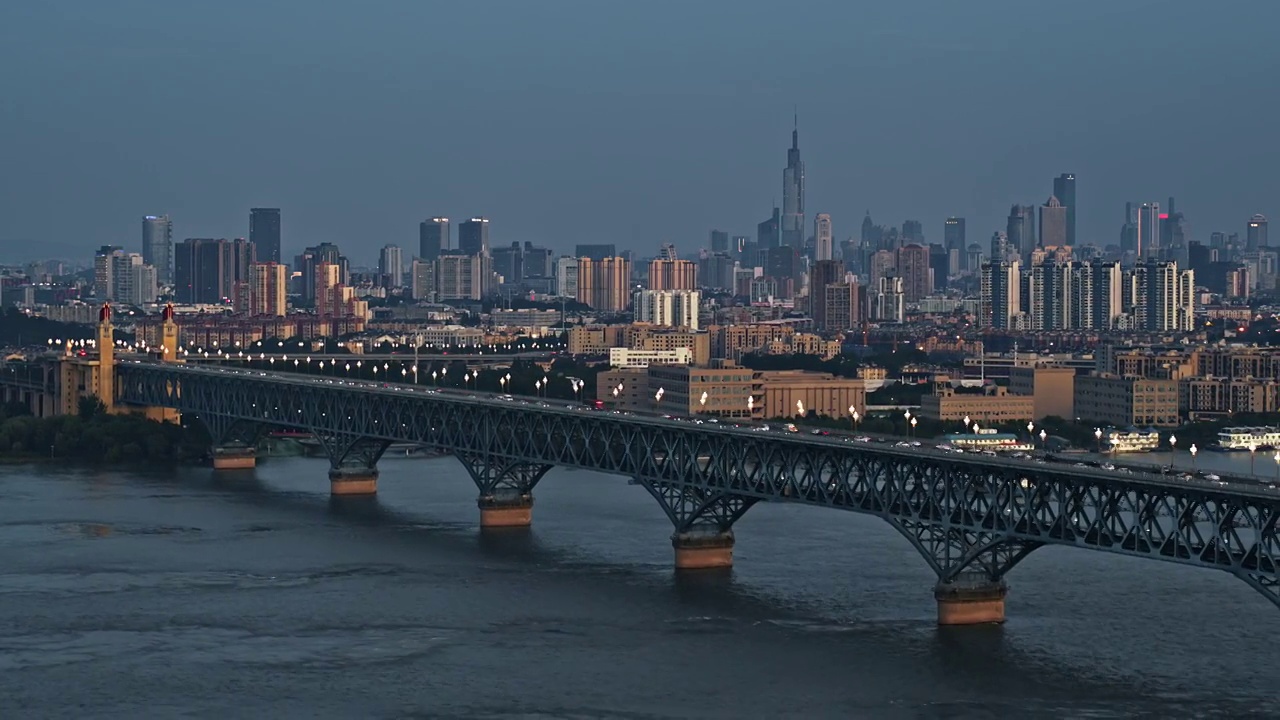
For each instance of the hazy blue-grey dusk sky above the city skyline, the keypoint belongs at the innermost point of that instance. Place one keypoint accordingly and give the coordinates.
(638, 124)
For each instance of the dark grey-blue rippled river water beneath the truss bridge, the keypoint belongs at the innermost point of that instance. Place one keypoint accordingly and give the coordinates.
(190, 595)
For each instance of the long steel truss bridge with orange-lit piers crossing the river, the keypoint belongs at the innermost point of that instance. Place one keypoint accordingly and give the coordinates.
(972, 518)
